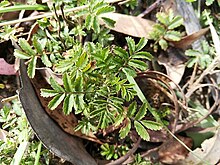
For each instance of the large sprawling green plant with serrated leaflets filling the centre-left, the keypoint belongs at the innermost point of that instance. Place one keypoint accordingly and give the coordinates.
(95, 82)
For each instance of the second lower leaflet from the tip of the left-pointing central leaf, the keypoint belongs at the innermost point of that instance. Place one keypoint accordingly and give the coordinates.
(68, 104)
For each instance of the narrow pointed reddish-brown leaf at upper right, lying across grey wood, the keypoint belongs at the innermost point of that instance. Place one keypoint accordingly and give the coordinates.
(187, 41)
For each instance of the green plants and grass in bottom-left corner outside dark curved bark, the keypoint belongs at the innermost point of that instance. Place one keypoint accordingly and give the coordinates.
(19, 146)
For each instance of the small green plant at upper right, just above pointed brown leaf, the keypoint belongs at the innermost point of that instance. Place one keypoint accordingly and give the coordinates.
(165, 30)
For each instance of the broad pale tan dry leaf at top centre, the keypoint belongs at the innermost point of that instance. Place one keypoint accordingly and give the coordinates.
(130, 25)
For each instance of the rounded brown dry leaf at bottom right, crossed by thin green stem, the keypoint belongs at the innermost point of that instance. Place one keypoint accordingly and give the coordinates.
(171, 152)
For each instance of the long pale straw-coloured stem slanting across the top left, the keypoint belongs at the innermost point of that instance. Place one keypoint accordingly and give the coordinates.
(50, 14)
